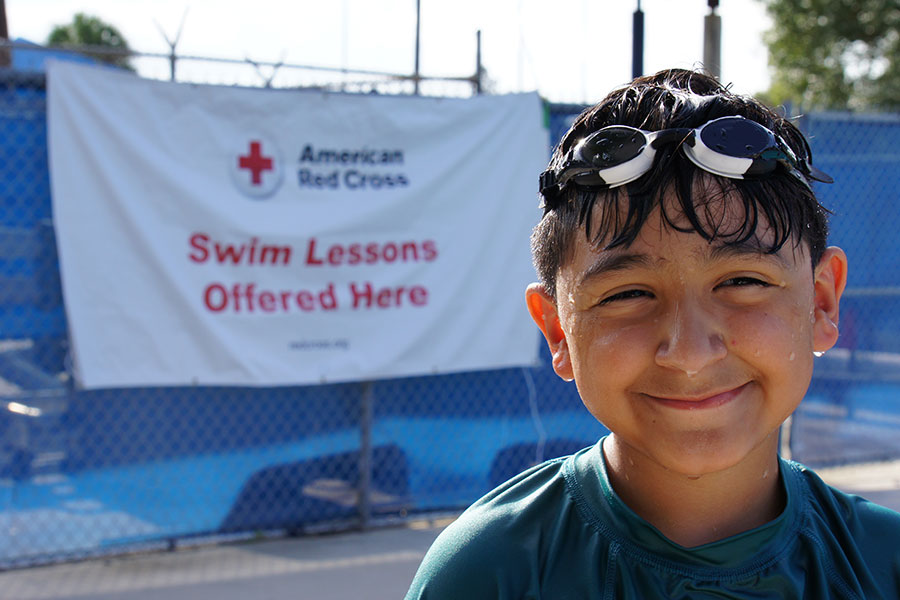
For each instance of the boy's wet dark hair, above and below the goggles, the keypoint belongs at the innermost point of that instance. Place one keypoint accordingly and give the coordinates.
(781, 201)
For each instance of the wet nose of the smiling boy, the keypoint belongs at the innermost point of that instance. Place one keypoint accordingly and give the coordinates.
(691, 341)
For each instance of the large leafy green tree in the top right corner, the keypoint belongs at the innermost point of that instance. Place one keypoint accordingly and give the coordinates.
(835, 54)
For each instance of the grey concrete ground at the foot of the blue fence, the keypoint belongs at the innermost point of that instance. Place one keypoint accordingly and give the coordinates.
(376, 565)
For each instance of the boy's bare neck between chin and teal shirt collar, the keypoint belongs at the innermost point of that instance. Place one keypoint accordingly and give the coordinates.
(696, 511)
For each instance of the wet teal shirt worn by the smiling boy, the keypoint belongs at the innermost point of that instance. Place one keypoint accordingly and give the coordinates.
(559, 531)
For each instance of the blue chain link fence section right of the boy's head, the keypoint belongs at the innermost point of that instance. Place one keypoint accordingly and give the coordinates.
(852, 411)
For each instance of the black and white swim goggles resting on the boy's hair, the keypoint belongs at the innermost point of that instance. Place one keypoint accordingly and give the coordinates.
(733, 147)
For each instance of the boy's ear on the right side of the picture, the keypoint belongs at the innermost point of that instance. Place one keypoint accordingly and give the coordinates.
(830, 277)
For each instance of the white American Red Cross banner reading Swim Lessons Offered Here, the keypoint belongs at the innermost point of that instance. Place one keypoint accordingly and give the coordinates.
(224, 236)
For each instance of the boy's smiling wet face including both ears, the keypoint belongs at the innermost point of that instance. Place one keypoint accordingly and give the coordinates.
(691, 353)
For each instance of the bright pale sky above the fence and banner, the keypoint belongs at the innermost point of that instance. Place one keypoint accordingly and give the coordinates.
(567, 50)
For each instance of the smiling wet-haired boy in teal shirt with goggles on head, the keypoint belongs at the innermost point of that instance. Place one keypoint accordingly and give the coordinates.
(685, 285)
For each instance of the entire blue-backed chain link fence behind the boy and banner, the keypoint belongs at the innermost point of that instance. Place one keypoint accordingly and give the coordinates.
(89, 473)
